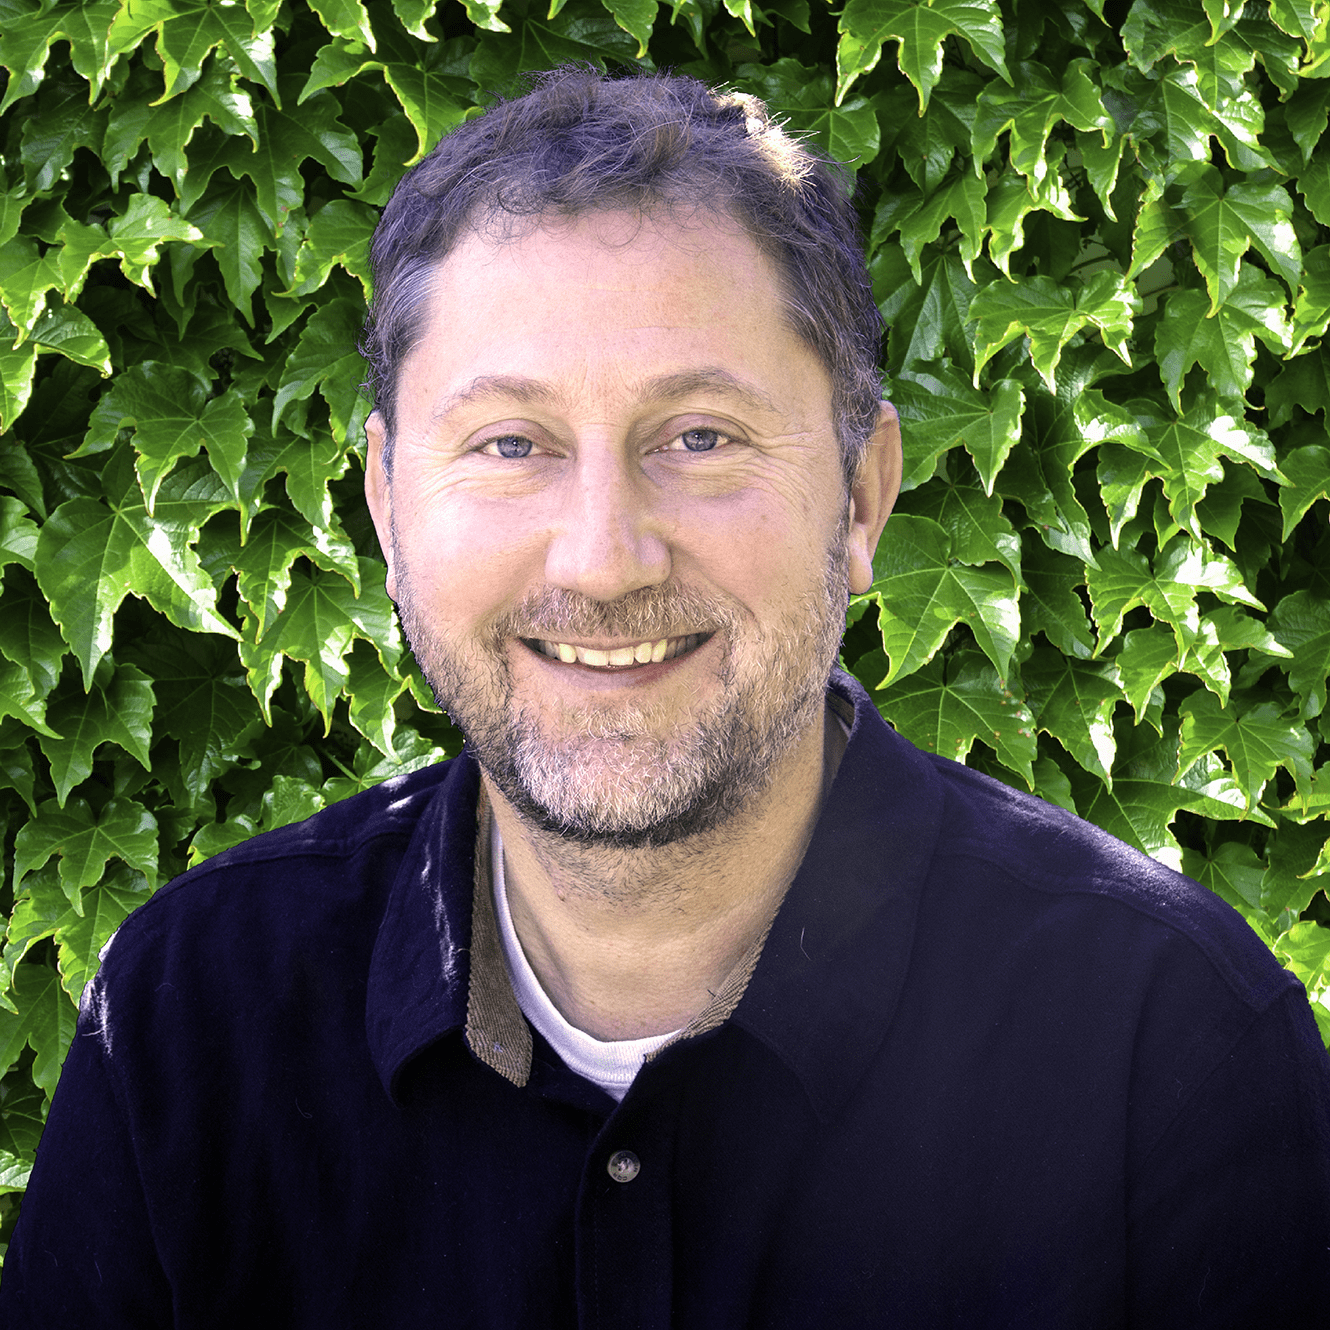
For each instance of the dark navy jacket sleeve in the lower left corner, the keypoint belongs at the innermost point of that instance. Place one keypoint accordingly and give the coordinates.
(83, 1252)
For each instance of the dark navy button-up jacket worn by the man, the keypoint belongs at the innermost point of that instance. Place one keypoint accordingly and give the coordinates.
(993, 1069)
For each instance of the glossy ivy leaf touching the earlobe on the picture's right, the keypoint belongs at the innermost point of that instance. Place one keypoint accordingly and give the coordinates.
(922, 594)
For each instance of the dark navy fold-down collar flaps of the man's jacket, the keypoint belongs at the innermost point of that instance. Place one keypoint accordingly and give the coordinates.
(829, 974)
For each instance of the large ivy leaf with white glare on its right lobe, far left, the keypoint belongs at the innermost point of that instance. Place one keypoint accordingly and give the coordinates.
(92, 553)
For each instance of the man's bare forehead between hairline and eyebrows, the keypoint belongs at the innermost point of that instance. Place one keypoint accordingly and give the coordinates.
(611, 296)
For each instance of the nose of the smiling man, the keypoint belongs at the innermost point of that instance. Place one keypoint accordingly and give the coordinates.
(610, 538)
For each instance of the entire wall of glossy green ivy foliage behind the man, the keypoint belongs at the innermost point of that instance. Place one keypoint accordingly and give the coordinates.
(1101, 236)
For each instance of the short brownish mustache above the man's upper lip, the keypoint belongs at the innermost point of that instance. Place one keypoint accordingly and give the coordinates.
(648, 614)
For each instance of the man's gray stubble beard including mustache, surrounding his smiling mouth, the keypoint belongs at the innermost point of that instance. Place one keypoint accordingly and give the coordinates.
(610, 777)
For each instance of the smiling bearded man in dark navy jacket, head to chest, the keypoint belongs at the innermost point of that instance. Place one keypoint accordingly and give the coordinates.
(690, 996)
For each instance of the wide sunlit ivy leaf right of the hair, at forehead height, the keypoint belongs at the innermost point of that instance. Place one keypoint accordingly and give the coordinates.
(1050, 315)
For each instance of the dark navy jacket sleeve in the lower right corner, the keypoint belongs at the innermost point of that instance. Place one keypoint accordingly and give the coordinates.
(1230, 1222)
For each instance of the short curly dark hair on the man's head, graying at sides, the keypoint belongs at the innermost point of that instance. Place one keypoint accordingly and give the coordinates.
(582, 142)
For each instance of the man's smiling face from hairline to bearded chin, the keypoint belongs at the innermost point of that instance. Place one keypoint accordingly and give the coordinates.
(616, 522)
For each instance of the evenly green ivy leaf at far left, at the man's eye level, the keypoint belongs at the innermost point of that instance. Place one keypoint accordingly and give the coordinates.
(172, 417)
